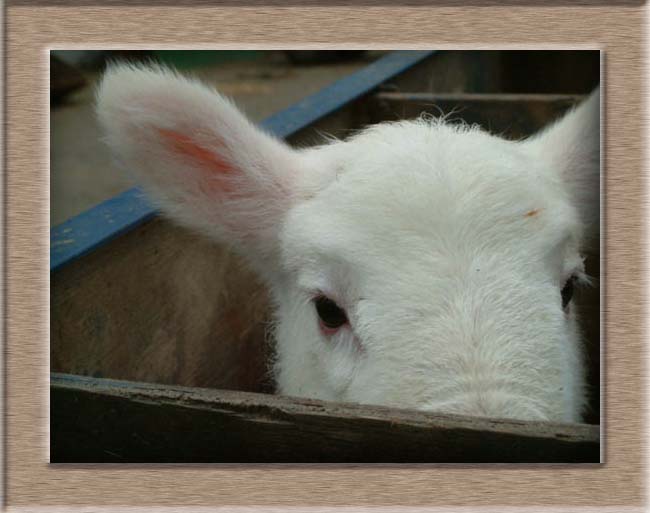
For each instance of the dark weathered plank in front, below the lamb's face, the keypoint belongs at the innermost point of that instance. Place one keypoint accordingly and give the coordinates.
(96, 420)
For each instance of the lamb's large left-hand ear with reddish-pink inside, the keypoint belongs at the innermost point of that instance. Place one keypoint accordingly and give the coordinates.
(197, 157)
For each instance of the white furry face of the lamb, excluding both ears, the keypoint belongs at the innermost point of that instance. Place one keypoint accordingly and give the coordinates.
(429, 274)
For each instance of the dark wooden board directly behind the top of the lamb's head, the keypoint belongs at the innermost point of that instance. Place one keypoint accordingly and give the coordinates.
(512, 115)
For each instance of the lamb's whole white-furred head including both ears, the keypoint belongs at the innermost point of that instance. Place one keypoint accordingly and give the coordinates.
(447, 247)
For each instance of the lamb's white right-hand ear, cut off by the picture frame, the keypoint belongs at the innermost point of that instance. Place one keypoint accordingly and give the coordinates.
(572, 147)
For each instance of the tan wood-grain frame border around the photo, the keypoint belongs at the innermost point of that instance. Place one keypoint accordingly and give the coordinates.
(30, 482)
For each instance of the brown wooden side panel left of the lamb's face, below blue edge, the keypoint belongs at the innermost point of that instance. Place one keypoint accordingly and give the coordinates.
(163, 305)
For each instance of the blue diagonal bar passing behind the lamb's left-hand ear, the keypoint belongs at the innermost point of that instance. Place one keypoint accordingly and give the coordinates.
(97, 226)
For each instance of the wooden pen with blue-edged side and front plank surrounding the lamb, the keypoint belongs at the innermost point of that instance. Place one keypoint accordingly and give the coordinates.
(158, 348)
